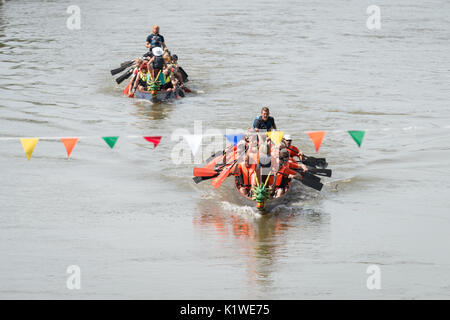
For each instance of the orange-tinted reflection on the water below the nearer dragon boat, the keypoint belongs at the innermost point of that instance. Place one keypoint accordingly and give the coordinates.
(263, 240)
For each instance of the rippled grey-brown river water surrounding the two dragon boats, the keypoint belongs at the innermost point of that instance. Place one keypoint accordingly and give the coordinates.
(136, 224)
